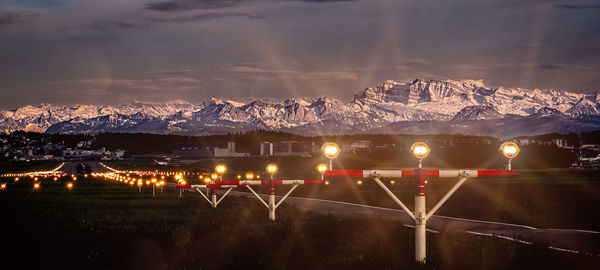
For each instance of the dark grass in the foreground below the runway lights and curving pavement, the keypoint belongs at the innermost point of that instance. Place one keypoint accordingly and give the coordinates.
(100, 225)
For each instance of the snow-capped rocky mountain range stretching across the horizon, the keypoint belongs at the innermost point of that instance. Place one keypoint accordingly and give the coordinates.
(418, 106)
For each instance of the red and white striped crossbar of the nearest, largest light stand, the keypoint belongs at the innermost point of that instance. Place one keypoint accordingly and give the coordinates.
(411, 173)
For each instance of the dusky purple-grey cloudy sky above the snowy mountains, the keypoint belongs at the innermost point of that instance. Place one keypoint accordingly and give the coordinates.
(110, 52)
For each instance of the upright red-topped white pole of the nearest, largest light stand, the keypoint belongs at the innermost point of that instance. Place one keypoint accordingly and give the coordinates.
(420, 217)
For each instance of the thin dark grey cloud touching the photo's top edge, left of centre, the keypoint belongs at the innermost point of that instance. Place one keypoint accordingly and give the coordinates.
(181, 5)
